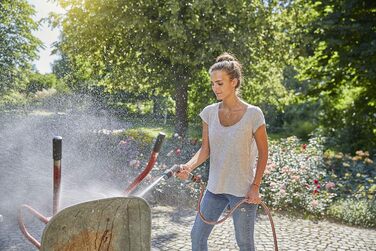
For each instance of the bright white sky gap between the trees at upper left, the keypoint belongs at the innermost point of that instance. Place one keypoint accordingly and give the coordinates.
(45, 34)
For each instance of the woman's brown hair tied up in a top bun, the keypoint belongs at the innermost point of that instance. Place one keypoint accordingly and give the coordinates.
(230, 65)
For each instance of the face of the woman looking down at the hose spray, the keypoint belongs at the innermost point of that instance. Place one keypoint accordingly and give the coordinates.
(222, 85)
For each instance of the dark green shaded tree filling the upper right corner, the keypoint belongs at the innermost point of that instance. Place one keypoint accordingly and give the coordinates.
(341, 70)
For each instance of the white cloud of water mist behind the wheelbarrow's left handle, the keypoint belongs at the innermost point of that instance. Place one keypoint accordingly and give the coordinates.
(26, 165)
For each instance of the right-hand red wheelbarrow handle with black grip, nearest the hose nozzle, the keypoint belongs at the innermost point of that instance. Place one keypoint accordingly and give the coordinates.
(149, 166)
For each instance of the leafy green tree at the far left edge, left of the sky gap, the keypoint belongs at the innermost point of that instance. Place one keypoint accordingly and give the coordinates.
(18, 47)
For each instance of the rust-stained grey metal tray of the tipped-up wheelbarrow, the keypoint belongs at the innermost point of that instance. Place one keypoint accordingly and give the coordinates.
(119, 223)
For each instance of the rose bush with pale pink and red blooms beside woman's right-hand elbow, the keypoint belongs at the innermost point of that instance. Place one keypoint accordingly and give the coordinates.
(295, 178)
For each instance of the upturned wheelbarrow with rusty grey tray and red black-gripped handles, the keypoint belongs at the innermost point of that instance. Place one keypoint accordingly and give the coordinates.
(118, 223)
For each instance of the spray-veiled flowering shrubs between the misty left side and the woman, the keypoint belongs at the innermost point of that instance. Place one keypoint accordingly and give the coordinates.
(134, 146)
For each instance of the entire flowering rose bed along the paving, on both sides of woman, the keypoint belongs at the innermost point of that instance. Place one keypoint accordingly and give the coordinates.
(298, 178)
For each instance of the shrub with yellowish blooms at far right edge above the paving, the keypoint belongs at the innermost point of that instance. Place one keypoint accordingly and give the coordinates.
(355, 184)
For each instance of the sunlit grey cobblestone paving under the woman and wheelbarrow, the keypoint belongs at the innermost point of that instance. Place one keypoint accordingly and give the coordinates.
(171, 231)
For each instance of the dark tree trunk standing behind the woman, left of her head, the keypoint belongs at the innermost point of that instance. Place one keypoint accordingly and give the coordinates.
(181, 99)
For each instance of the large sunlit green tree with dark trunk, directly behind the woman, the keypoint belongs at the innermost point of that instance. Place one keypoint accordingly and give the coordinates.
(165, 46)
